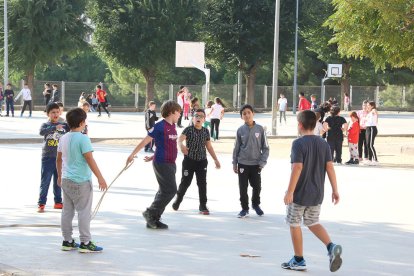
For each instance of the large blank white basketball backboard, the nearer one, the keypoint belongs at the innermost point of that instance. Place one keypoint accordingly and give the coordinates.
(189, 54)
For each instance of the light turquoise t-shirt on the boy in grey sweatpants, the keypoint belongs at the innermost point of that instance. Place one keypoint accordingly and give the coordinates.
(74, 166)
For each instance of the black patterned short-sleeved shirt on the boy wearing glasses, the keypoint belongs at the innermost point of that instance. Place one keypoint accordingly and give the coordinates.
(196, 142)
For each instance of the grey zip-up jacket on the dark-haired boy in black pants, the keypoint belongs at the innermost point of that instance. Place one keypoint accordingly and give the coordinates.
(251, 146)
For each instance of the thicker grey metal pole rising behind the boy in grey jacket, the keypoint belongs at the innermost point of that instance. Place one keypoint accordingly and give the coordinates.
(275, 67)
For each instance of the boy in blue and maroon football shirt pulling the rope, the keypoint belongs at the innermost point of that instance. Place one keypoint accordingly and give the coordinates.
(165, 135)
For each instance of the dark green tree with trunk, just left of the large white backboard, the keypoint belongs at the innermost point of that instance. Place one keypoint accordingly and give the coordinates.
(142, 34)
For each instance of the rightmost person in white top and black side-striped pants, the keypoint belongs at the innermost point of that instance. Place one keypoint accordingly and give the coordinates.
(371, 133)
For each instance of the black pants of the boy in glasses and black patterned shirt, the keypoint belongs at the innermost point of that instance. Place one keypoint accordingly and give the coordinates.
(190, 167)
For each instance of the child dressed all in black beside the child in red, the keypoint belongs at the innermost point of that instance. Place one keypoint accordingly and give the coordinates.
(336, 125)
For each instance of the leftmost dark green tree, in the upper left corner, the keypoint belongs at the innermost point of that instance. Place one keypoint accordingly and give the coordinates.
(42, 31)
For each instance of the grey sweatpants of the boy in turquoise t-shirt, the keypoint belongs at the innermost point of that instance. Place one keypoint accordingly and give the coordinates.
(76, 196)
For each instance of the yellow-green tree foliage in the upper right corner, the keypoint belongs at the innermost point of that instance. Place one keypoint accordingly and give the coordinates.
(382, 31)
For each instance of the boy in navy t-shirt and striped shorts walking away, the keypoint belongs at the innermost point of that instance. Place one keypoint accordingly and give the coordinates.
(311, 160)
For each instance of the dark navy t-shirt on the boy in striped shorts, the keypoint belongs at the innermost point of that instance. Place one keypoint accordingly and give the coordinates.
(313, 152)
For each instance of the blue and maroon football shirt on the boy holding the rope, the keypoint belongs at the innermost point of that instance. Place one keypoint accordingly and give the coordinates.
(165, 137)
